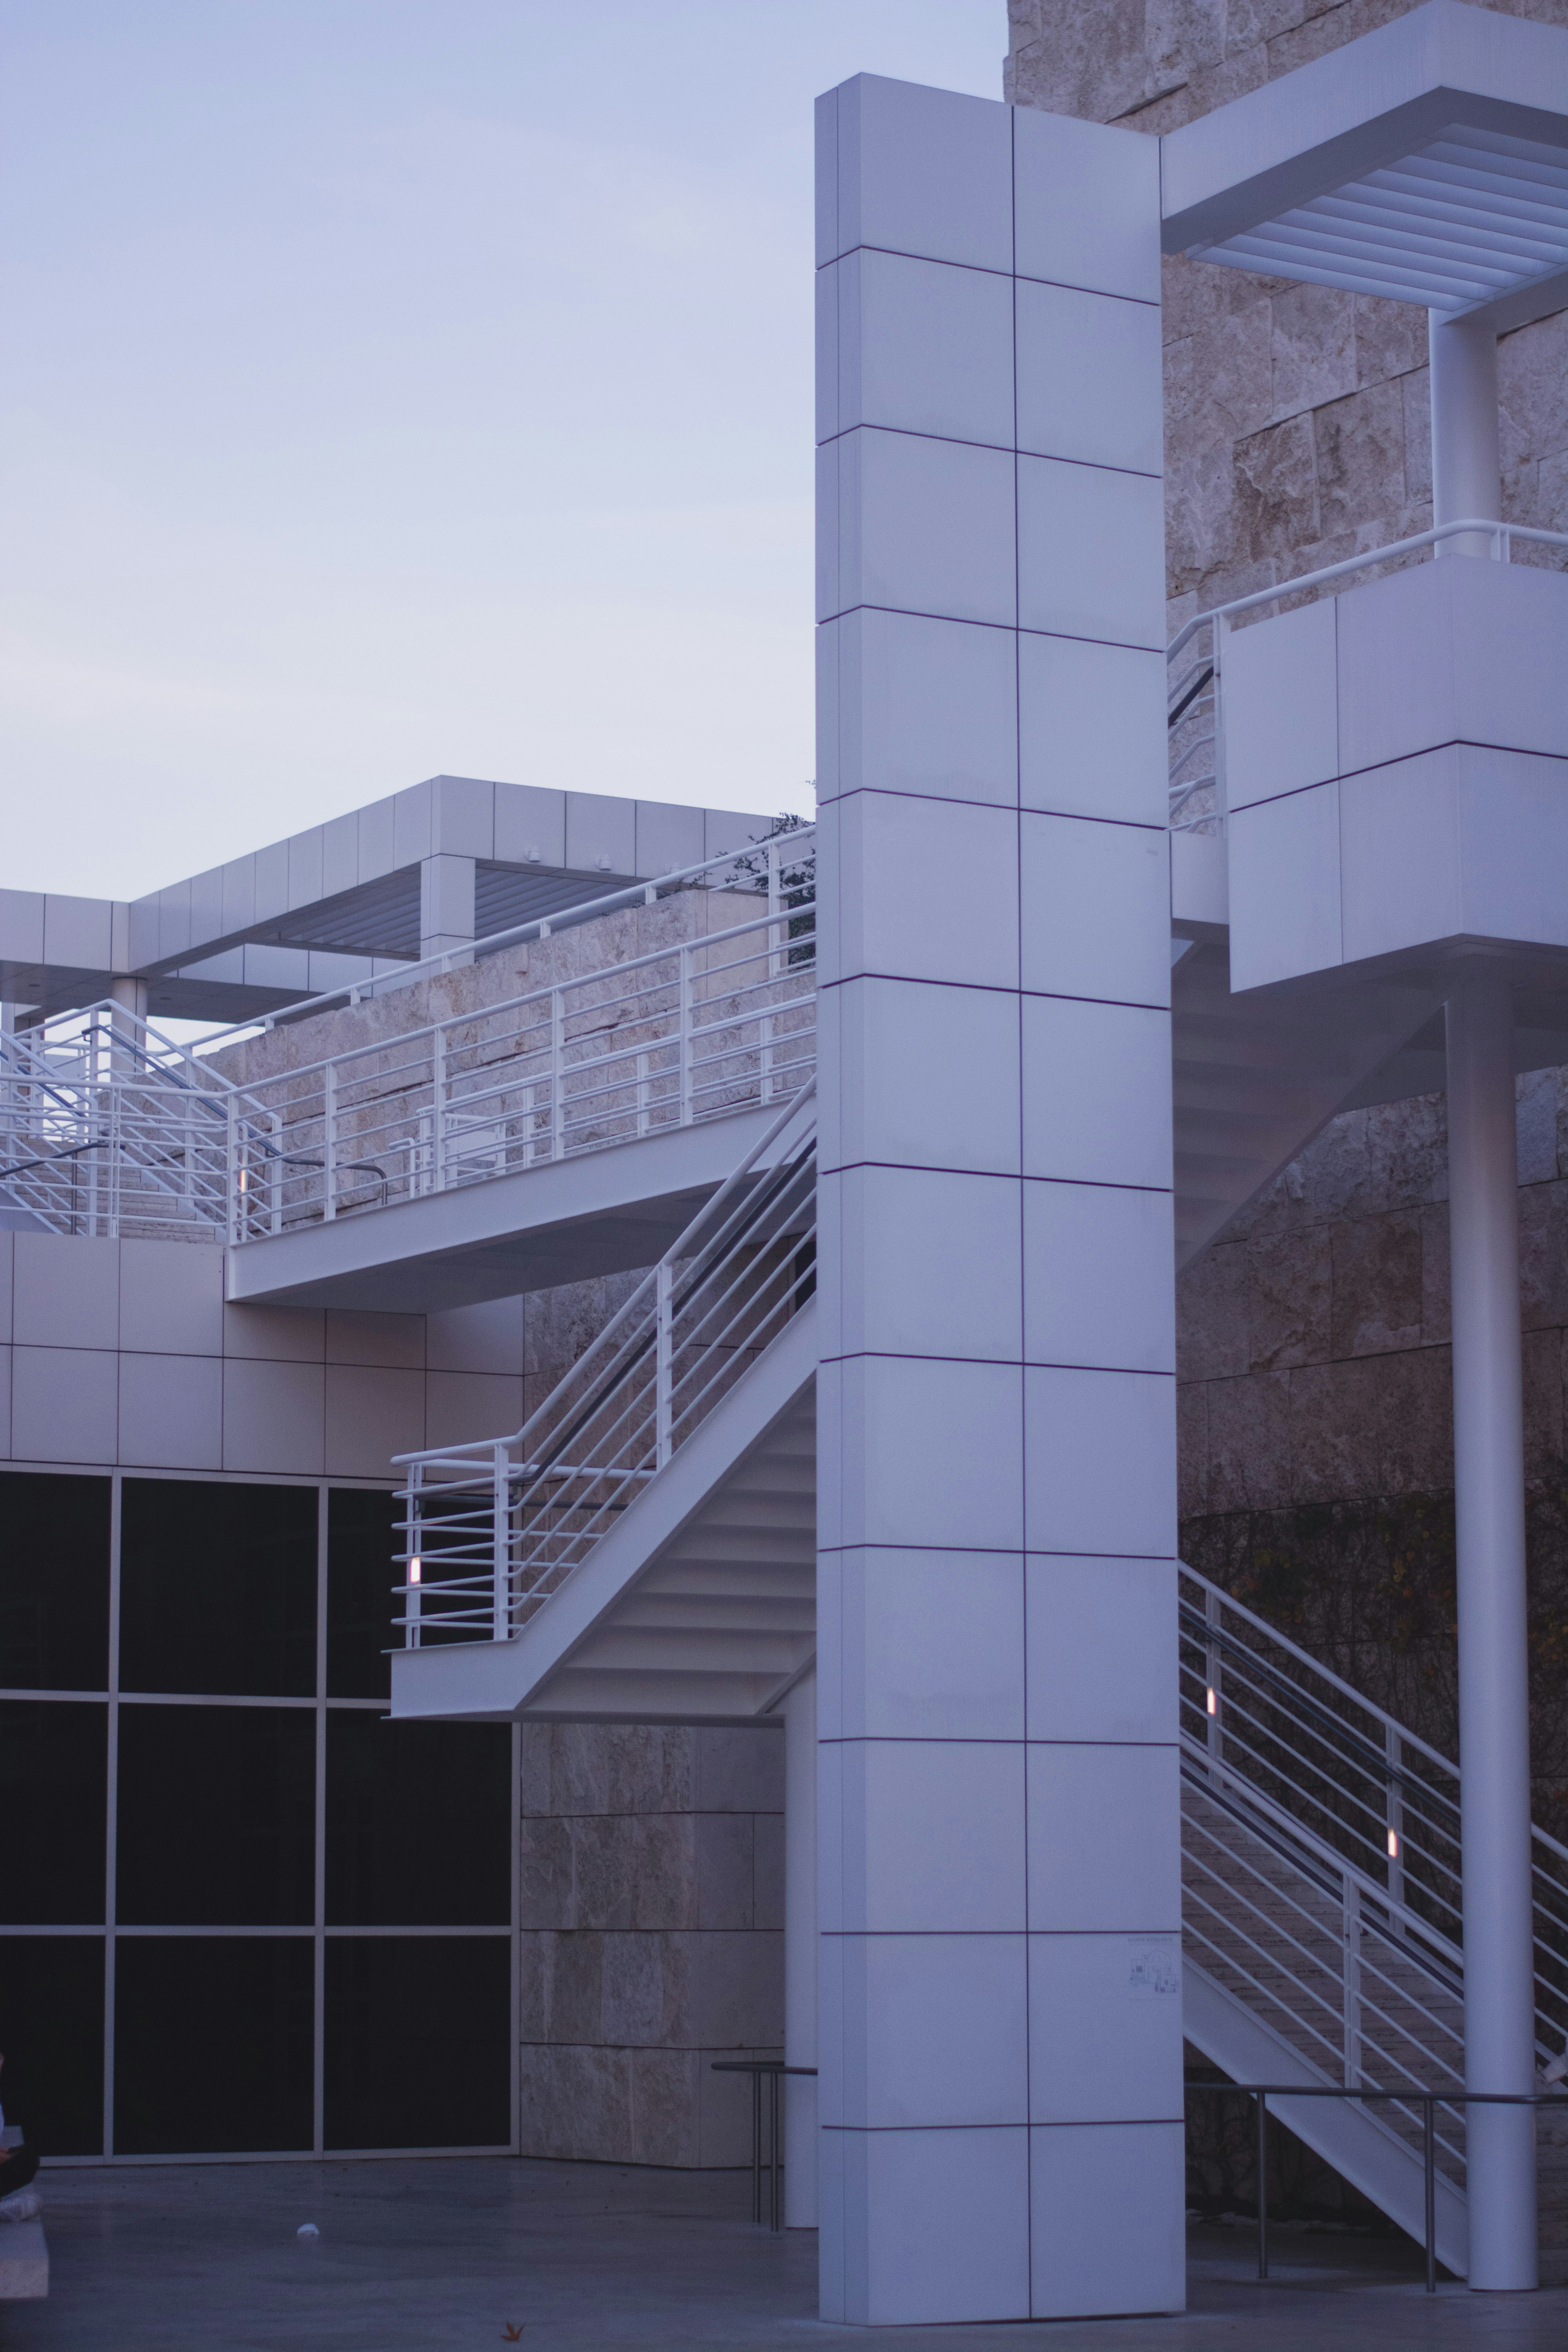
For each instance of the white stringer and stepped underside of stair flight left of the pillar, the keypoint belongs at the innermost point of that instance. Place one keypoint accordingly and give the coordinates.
(723, 1648)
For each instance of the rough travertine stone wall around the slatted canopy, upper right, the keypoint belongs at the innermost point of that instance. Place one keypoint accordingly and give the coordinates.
(1296, 417)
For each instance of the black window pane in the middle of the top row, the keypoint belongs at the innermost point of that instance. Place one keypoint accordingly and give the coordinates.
(217, 1589)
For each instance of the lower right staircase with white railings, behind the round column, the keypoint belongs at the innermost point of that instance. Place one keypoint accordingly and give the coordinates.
(1322, 1918)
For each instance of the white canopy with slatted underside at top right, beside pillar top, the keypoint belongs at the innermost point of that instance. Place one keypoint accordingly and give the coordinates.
(1426, 161)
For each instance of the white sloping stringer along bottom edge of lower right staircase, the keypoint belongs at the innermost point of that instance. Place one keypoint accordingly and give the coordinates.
(1341, 2132)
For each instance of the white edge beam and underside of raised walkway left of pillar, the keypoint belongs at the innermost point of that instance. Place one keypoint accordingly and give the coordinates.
(565, 1222)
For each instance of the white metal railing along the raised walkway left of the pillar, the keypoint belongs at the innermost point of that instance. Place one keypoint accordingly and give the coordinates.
(683, 1034)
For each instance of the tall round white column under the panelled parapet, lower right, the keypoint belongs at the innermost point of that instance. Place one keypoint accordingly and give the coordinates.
(1494, 1678)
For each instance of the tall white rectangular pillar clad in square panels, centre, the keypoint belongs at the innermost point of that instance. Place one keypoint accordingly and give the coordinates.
(1000, 1899)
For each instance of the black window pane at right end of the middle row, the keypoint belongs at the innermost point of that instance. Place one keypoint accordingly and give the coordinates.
(417, 1824)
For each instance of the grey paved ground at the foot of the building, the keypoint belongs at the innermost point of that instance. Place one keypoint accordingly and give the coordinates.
(206, 2259)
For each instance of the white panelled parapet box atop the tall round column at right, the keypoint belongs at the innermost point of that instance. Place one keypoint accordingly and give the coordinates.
(1398, 773)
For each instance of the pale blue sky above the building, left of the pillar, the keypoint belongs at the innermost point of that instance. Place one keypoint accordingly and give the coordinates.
(408, 385)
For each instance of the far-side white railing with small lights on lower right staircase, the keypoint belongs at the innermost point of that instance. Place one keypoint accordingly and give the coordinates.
(1348, 1775)
